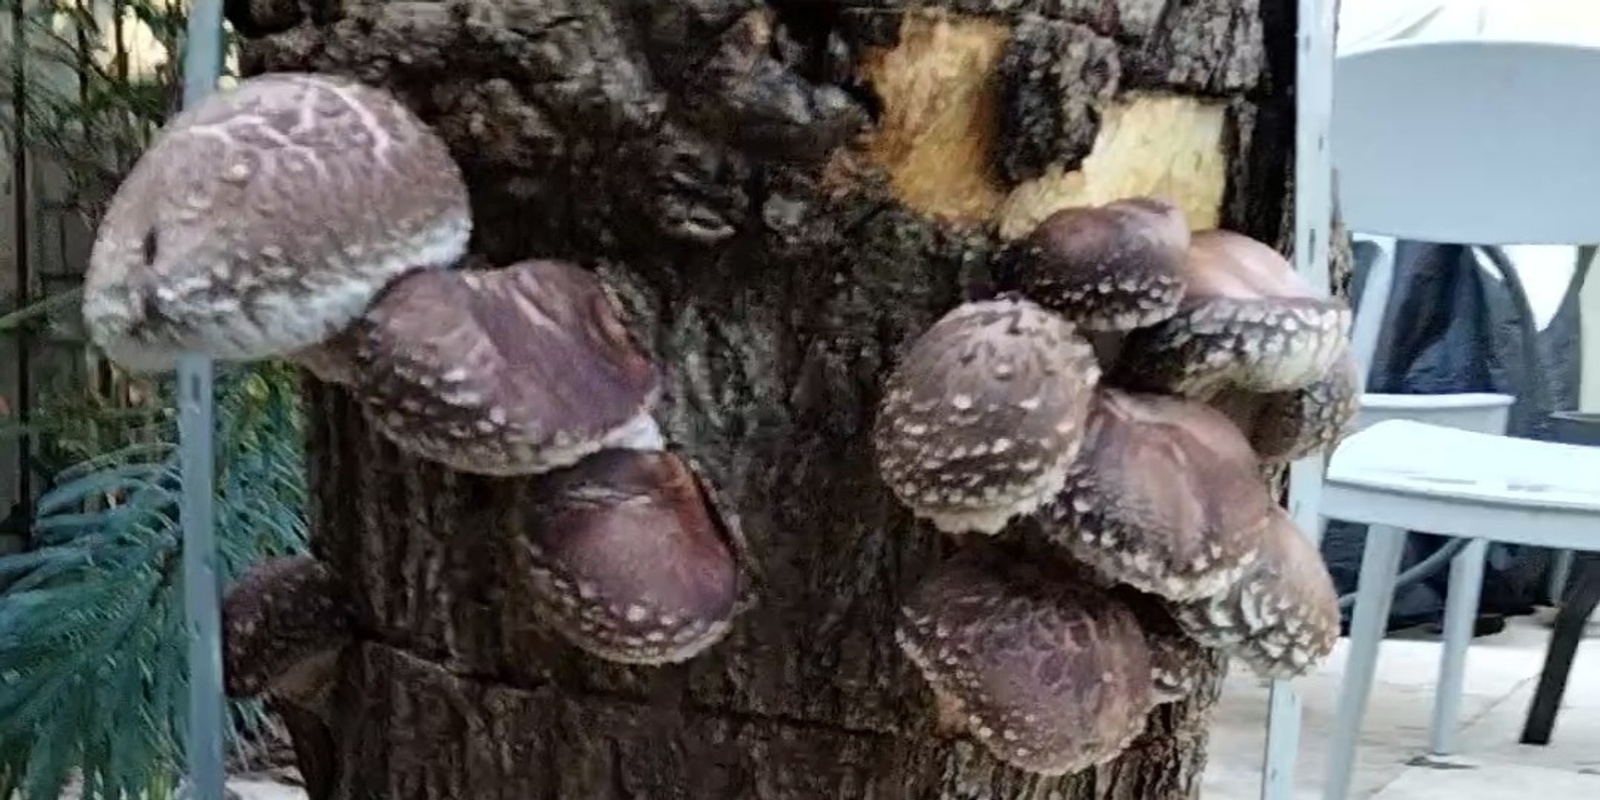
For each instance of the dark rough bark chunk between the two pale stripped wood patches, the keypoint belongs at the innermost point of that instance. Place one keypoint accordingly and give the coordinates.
(1055, 76)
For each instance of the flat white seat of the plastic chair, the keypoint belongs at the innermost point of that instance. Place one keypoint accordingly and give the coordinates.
(1450, 465)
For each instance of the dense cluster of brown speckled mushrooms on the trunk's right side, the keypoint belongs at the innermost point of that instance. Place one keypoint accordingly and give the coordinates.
(1122, 398)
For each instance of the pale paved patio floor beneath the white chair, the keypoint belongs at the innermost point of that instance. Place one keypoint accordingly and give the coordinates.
(1502, 674)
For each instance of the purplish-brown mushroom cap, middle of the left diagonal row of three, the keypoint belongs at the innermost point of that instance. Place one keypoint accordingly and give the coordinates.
(505, 372)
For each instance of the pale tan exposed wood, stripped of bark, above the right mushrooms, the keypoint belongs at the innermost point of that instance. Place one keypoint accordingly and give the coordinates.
(942, 95)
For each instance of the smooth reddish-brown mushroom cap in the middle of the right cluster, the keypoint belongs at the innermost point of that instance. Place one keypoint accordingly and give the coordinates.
(1166, 497)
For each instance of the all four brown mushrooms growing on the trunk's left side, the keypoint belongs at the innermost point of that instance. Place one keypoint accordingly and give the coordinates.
(318, 220)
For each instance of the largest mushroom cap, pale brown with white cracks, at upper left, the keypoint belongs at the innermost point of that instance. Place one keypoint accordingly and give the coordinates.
(268, 218)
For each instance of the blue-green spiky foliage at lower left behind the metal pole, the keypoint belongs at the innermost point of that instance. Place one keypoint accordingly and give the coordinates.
(92, 639)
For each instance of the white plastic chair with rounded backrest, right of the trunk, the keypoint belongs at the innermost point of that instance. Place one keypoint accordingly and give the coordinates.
(1487, 143)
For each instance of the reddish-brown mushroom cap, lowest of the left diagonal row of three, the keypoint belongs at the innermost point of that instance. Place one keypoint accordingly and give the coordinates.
(628, 559)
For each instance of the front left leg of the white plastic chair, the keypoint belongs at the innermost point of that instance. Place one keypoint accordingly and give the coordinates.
(1369, 623)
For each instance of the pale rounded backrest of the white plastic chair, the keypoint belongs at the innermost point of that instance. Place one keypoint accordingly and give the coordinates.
(1478, 142)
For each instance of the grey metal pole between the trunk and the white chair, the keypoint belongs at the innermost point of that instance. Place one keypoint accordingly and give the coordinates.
(1313, 233)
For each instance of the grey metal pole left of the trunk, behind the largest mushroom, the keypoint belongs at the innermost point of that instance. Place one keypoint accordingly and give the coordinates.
(198, 454)
